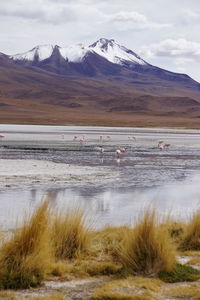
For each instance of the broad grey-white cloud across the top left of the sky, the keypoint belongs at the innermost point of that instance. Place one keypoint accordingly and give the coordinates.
(58, 12)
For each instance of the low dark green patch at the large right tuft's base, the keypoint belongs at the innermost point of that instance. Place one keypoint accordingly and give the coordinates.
(180, 273)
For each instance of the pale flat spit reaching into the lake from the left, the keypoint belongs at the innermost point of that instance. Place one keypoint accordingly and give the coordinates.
(19, 172)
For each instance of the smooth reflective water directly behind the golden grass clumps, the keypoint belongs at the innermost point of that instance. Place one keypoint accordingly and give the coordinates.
(112, 206)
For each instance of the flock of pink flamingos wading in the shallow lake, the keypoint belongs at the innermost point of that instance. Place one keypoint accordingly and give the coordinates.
(119, 151)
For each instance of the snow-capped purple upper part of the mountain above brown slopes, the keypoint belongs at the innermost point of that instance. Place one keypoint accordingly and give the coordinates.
(104, 58)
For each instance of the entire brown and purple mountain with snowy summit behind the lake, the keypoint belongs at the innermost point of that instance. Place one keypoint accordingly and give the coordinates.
(95, 90)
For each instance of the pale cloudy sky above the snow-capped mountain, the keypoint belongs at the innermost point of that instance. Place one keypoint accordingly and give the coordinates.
(165, 33)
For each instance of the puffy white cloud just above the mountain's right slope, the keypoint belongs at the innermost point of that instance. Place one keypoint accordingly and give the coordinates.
(179, 48)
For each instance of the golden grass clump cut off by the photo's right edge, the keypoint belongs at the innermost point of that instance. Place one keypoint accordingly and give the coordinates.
(191, 239)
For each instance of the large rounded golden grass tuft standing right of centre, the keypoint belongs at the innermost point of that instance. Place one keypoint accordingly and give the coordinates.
(147, 249)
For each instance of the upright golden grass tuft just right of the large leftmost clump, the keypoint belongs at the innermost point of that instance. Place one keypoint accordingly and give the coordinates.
(70, 235)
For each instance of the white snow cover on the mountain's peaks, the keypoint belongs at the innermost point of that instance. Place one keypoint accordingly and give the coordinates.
(108, 49)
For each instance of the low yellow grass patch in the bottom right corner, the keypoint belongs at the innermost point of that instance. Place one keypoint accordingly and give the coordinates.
(185, 292)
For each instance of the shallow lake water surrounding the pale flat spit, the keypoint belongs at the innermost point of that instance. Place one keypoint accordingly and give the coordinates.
(169, 180)
